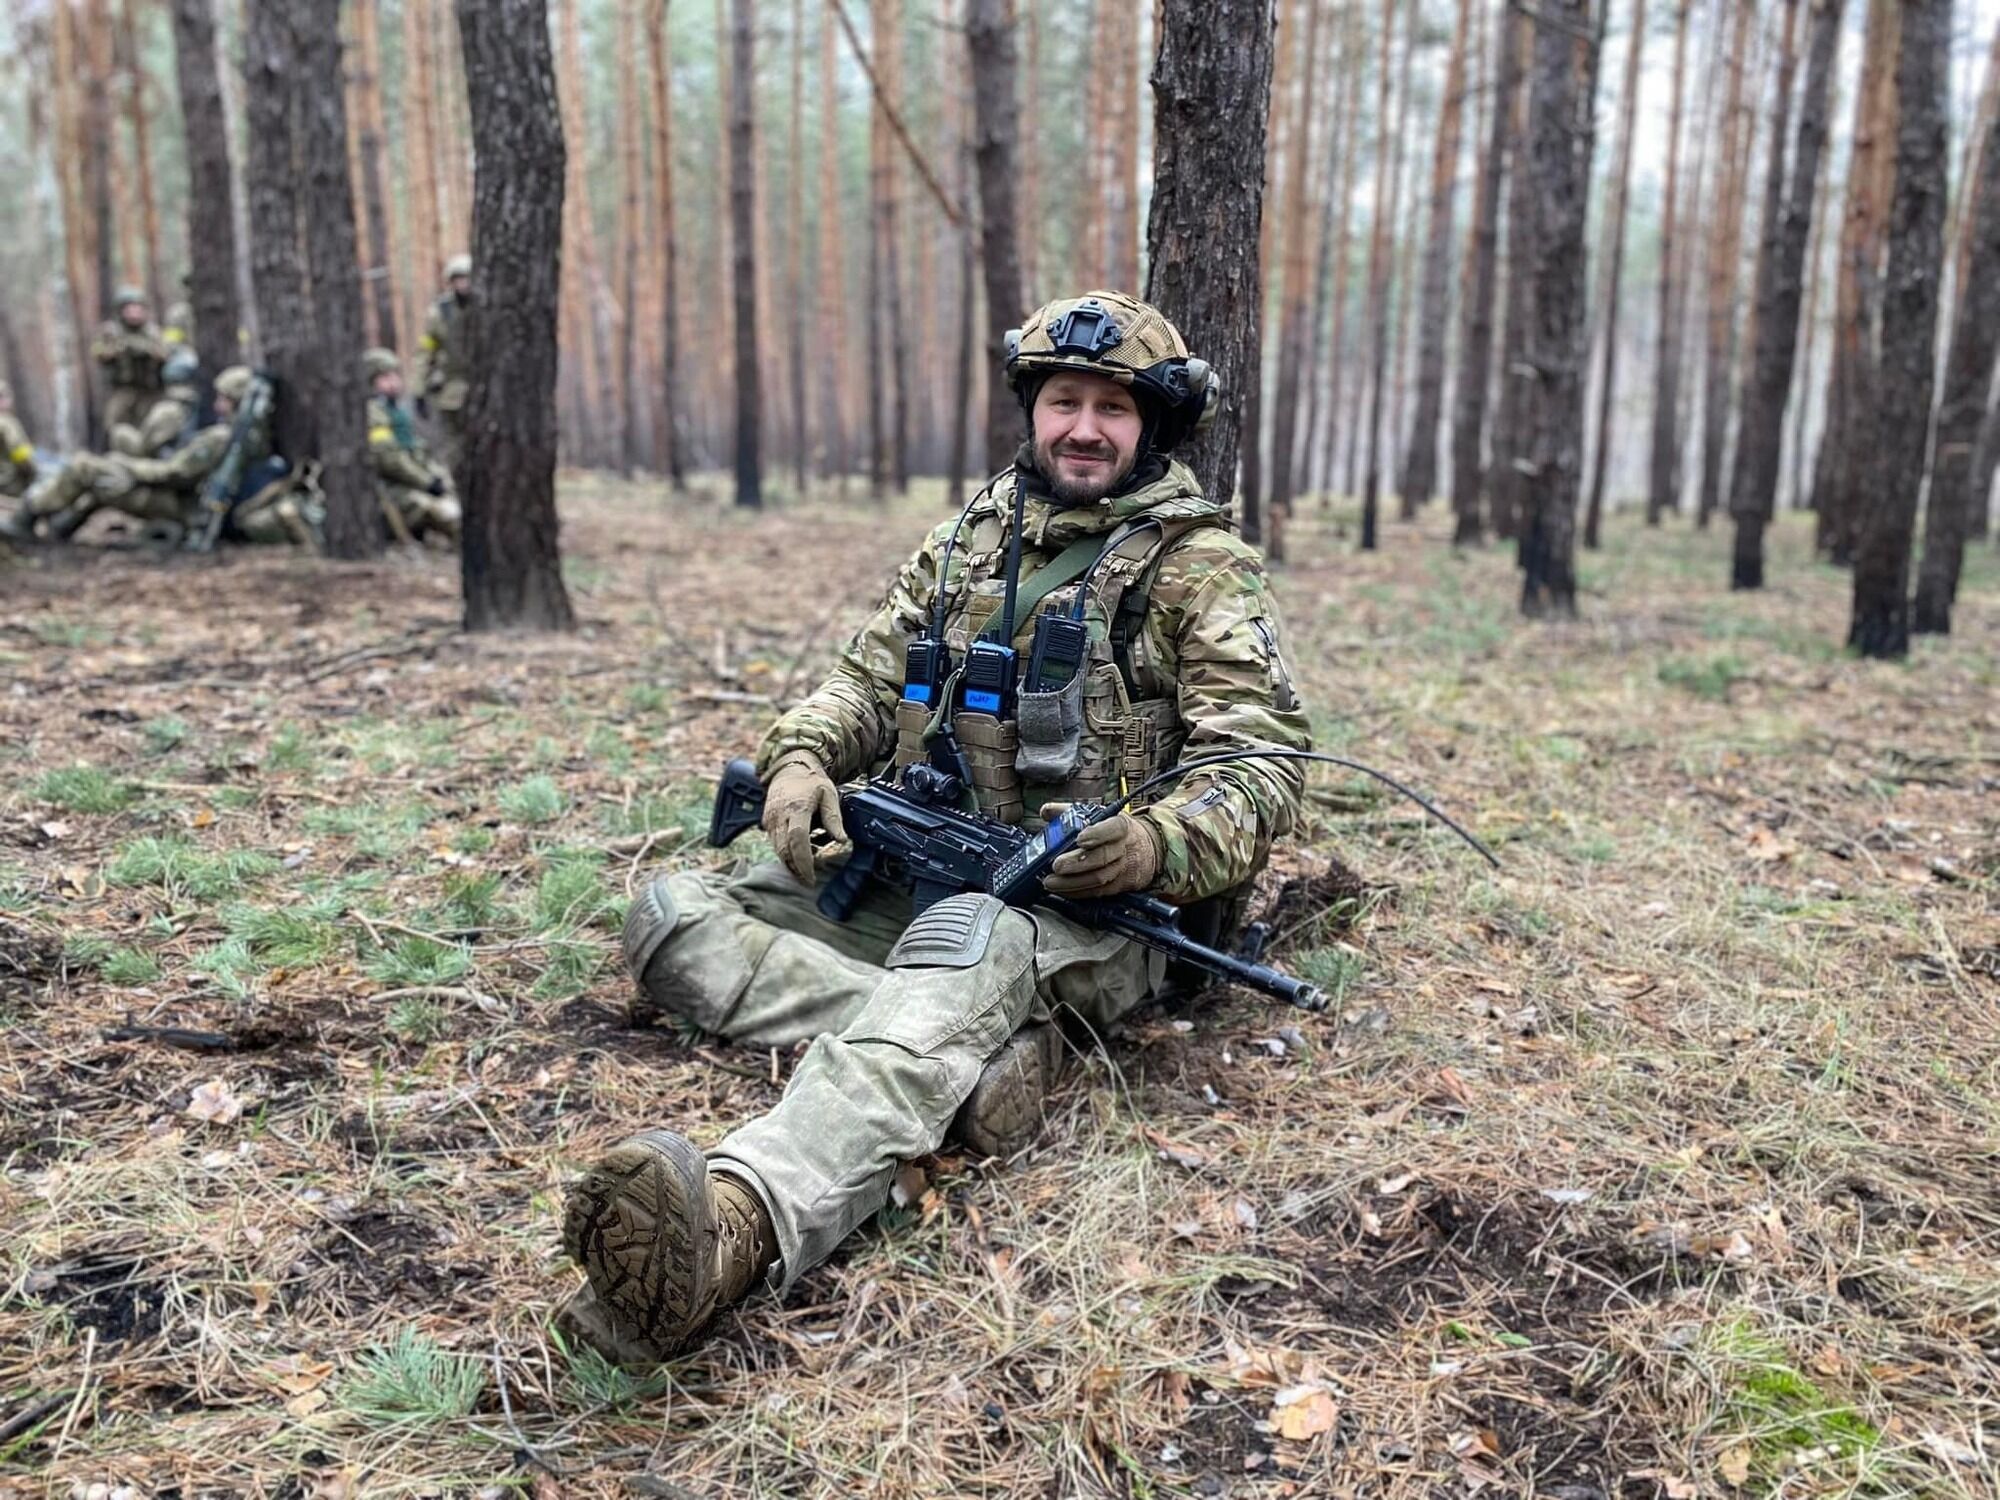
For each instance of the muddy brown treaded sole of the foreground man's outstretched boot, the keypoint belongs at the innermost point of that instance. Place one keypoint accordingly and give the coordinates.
(643, 1227)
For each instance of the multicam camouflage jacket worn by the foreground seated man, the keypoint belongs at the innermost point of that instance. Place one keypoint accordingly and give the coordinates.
(1195, 667)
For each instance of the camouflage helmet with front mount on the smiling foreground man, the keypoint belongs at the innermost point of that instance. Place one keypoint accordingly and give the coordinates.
(1133, 343)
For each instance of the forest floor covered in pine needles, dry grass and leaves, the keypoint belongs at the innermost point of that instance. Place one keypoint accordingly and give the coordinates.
(1661, 1163)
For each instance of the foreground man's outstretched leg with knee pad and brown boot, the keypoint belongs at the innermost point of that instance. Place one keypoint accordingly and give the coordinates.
(961, 983)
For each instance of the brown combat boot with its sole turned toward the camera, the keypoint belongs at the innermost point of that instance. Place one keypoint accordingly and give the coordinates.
(665, 1245)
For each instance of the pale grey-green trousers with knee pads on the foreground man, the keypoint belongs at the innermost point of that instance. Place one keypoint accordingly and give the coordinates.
(899, 1023)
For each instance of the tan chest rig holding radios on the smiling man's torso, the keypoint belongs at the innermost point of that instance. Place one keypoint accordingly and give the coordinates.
(1075, 703)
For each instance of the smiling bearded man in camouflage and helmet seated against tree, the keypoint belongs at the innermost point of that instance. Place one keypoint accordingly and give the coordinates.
(945, 1027)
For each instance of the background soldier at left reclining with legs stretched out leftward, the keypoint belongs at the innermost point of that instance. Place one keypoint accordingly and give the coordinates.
(165, 491)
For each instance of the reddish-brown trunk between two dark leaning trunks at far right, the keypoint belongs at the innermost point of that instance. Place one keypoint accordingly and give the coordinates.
(1837, 481)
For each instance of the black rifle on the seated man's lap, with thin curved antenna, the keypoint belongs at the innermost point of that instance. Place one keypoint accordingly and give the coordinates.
(913, 833)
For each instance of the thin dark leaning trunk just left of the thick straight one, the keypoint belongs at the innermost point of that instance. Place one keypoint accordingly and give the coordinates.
(1477, 313)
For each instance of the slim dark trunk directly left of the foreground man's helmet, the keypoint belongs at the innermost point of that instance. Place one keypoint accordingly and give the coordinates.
(995, 103)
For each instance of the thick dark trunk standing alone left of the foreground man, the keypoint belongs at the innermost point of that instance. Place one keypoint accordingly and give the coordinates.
(511, 559)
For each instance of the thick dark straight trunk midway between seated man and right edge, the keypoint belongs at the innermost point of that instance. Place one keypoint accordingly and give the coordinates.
(1563, 109)
